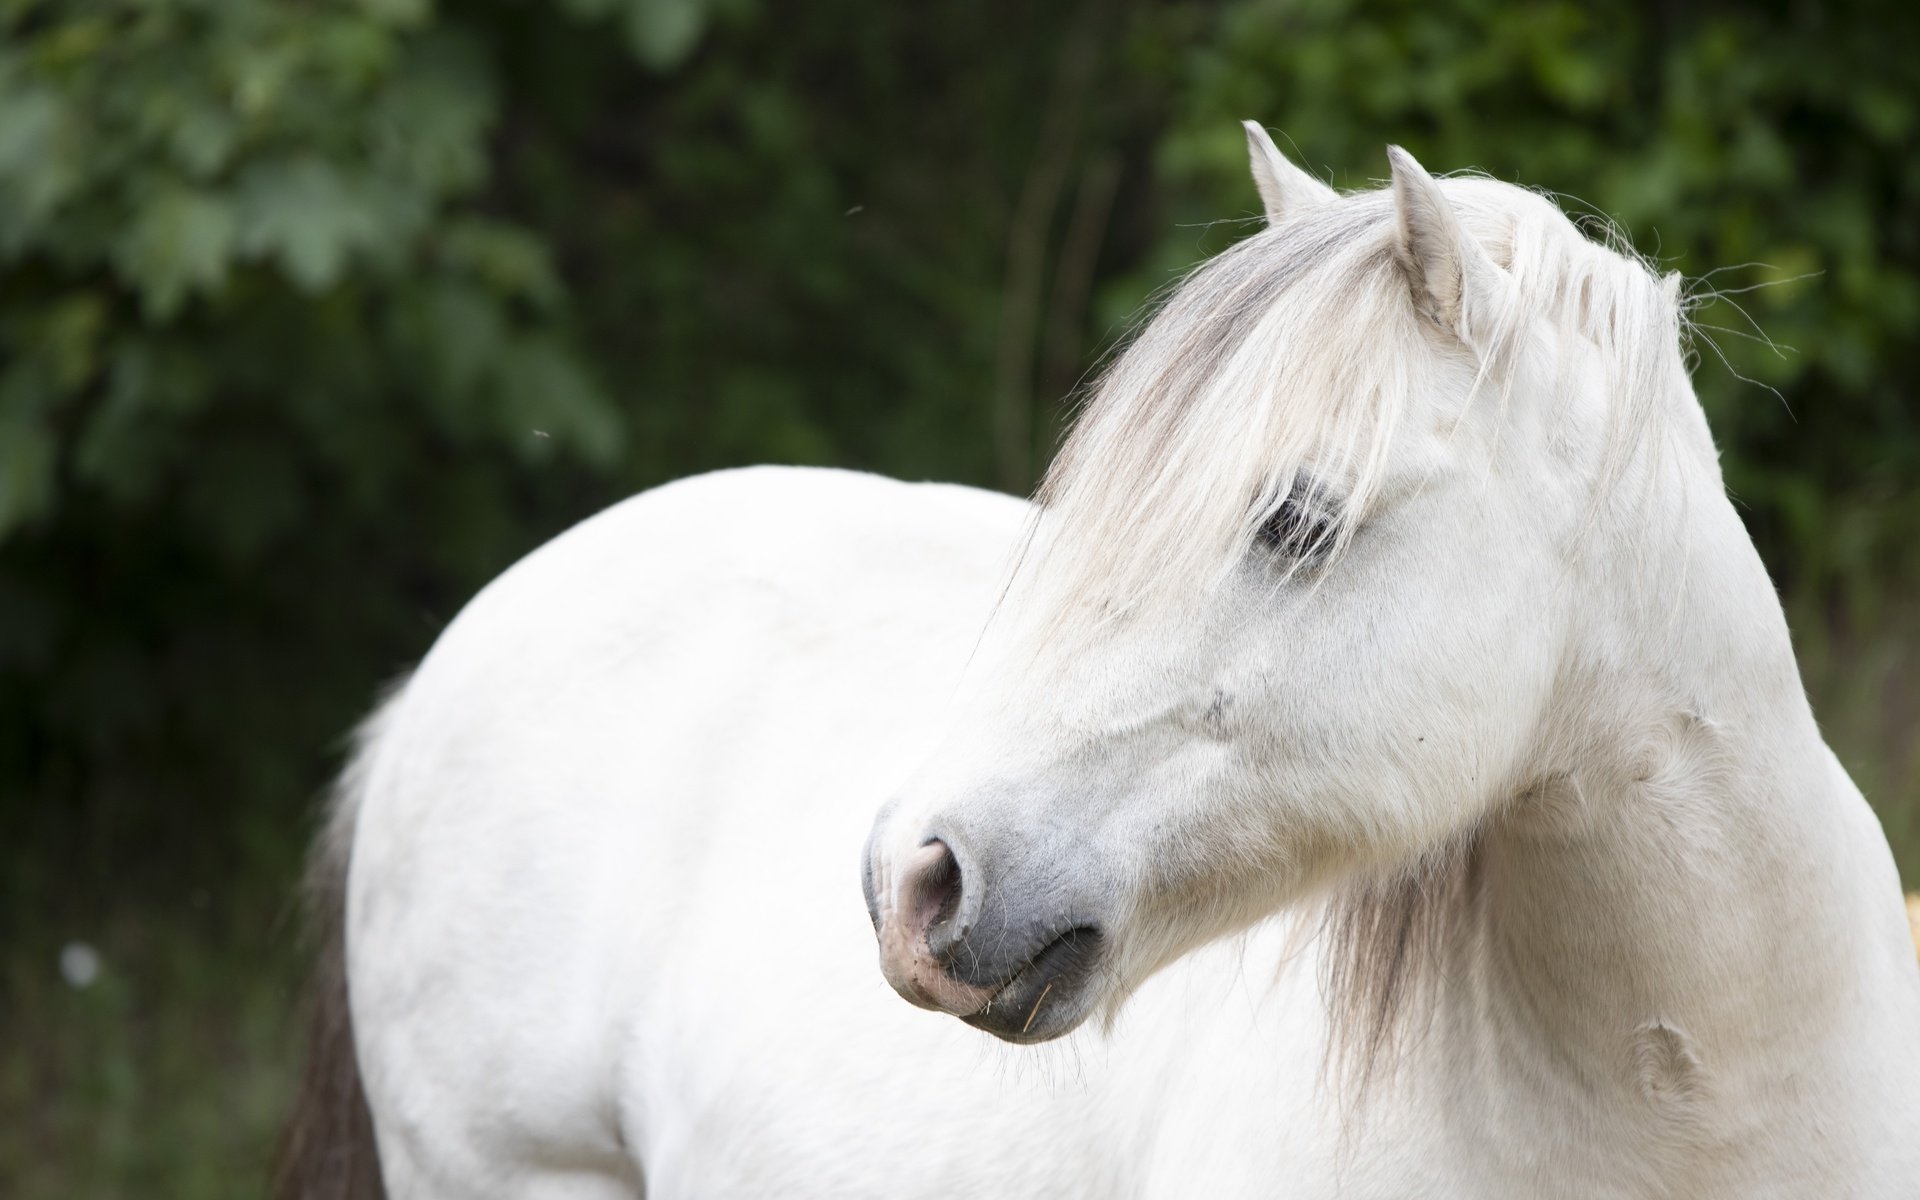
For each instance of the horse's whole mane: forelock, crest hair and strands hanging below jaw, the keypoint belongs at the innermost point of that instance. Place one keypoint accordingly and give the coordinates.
(1299, 352)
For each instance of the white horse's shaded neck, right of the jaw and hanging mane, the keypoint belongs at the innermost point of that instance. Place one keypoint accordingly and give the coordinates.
(1692, 903)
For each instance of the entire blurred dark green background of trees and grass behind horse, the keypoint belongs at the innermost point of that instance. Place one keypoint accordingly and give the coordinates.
(318, 316)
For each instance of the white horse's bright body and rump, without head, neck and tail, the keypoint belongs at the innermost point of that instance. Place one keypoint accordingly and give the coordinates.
(631, 775)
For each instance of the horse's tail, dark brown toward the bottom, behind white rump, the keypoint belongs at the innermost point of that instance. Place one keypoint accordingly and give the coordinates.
(327, 1147)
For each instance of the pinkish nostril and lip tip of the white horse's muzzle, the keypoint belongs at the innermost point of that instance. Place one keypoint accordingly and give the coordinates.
(923, 926)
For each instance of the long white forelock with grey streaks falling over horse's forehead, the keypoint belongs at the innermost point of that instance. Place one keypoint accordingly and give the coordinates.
(1212, 412)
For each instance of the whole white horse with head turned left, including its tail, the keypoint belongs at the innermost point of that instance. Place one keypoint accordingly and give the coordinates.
(1383, 775)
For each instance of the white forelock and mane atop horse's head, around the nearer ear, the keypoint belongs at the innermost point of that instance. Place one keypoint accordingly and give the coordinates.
(1297, 354)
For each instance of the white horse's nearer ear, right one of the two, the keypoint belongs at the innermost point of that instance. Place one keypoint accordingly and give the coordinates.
(1452, 277)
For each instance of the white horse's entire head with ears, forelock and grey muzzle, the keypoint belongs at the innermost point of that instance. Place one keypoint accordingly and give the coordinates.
(1307, 594)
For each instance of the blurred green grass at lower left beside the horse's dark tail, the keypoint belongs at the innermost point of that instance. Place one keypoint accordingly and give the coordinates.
(168, 1076)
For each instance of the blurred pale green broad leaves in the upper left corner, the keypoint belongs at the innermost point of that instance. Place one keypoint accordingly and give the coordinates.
(212, 206)
